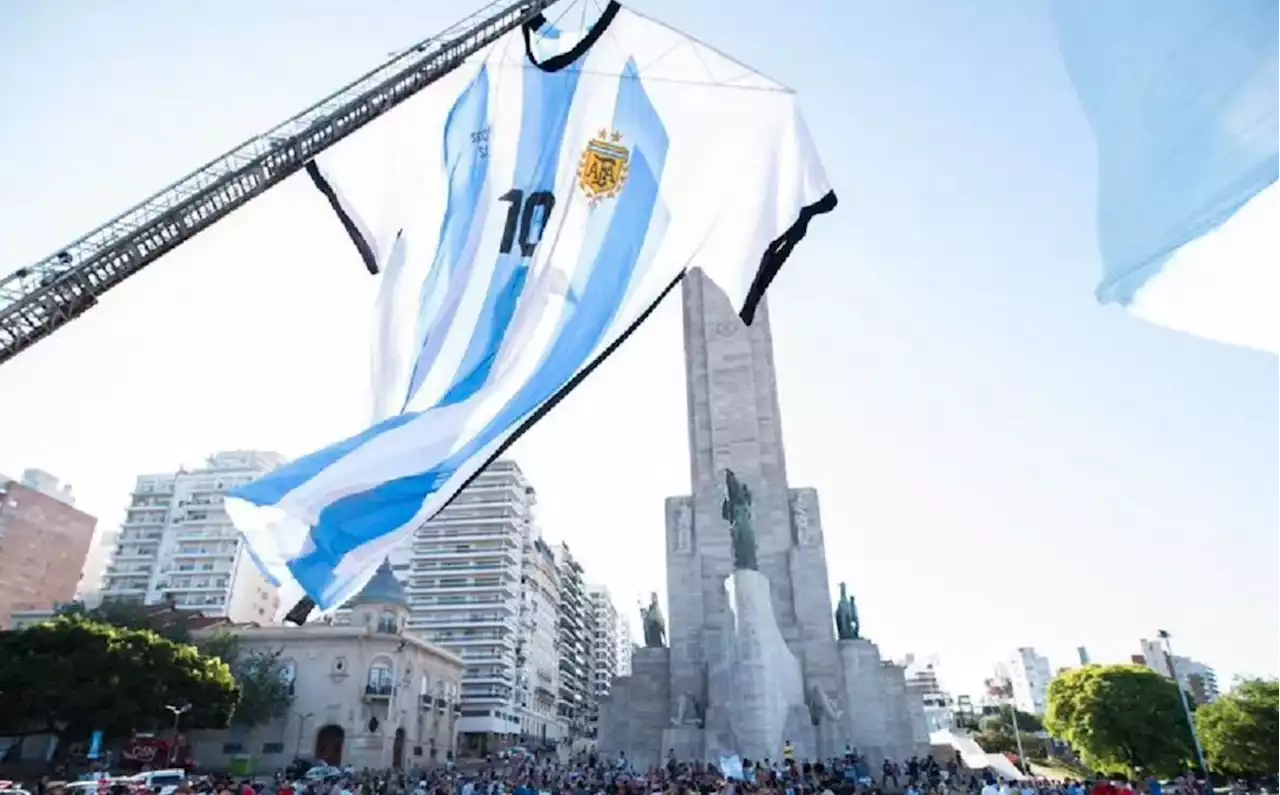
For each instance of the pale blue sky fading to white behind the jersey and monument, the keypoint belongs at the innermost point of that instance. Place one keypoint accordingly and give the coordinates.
(1002, 463)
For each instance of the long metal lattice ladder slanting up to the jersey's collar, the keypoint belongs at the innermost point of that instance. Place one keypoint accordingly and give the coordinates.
(39, 300)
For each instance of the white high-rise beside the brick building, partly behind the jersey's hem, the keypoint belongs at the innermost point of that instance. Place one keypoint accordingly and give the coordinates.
(177, 543)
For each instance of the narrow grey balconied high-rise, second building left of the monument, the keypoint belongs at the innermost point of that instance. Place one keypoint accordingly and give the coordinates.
(574, 645)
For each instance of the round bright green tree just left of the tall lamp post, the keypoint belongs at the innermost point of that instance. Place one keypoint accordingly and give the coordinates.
(1122, 719)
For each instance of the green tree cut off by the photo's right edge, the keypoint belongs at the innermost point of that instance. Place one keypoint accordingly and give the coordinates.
(1241, 732)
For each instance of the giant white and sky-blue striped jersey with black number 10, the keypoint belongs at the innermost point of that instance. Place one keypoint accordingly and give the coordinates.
(525, 217)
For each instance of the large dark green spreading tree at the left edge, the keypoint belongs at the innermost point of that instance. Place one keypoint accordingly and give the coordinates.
(71, 677)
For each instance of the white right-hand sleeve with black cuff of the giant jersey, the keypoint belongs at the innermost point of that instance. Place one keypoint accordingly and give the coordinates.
(772, 185)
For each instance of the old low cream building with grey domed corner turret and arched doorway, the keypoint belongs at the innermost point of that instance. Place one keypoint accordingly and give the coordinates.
(371, 695)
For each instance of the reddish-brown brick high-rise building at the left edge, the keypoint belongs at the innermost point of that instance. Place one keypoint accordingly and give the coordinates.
(44, 541)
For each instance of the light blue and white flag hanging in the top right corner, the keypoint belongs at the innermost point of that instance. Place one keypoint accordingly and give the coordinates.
(1185, 102)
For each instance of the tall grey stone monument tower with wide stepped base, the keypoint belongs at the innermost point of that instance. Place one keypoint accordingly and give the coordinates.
(753, 659)
